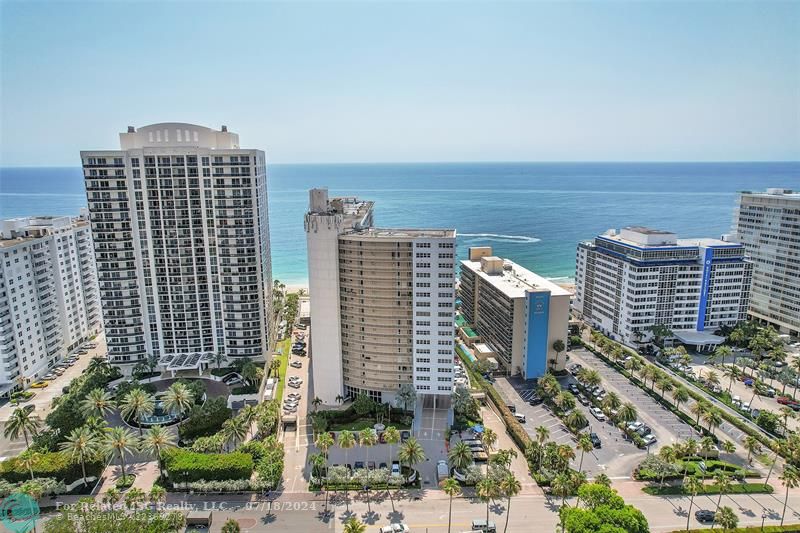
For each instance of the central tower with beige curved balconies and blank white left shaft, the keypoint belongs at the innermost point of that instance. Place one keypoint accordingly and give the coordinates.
(382, 303)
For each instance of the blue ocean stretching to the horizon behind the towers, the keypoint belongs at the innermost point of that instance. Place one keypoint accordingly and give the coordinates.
(532, 213)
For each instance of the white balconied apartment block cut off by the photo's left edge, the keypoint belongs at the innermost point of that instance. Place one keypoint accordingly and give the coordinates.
(49, 301)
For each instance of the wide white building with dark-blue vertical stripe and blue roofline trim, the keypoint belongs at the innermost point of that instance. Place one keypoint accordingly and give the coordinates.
(631, 280)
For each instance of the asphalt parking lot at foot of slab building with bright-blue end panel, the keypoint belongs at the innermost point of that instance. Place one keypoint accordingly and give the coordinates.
(616, 458)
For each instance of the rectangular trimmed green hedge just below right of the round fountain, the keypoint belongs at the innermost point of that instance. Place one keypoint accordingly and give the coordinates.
(207, 466)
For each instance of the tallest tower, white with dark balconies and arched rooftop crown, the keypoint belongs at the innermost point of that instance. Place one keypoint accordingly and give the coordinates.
(181, 233)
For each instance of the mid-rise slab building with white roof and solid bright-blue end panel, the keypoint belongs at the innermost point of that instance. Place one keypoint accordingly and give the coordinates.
(517, 314)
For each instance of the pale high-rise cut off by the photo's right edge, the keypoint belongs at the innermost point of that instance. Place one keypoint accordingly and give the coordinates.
(768, 224)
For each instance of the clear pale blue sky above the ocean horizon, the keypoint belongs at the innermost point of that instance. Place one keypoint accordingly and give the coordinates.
(370, 81)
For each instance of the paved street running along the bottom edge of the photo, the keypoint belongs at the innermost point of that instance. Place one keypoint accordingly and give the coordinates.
(529, 512)
